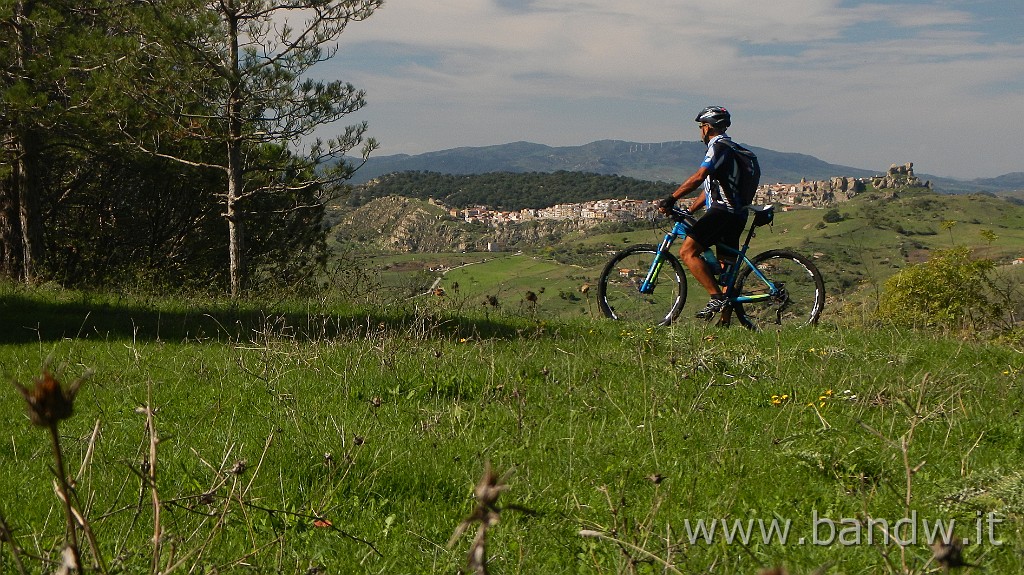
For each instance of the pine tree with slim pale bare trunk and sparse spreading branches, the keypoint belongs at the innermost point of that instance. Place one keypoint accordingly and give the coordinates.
(248, 96)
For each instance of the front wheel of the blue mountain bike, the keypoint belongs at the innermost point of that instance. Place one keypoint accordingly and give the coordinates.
(619, 293)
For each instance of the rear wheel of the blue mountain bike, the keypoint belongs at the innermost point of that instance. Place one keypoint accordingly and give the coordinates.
(793, 295)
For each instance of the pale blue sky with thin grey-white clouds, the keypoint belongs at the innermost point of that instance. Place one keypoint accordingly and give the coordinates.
(940, 83)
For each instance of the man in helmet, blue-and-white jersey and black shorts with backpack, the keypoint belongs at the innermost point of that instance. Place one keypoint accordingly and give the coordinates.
(724, 217)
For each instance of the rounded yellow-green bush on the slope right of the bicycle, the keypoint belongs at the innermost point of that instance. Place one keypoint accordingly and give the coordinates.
(951, 291)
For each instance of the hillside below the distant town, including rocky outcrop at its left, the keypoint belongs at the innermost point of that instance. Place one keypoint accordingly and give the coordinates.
(858, 245)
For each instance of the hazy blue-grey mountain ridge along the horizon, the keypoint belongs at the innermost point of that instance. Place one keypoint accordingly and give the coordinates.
(667, 162)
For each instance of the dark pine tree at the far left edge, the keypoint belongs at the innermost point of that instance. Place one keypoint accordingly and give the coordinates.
(52, 66)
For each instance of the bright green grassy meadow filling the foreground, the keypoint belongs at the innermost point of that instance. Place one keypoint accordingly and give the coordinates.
(317, 438)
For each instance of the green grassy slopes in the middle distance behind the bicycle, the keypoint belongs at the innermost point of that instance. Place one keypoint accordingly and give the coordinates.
(867, 241)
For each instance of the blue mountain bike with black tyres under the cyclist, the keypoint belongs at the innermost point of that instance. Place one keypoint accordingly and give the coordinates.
(774, 288)
